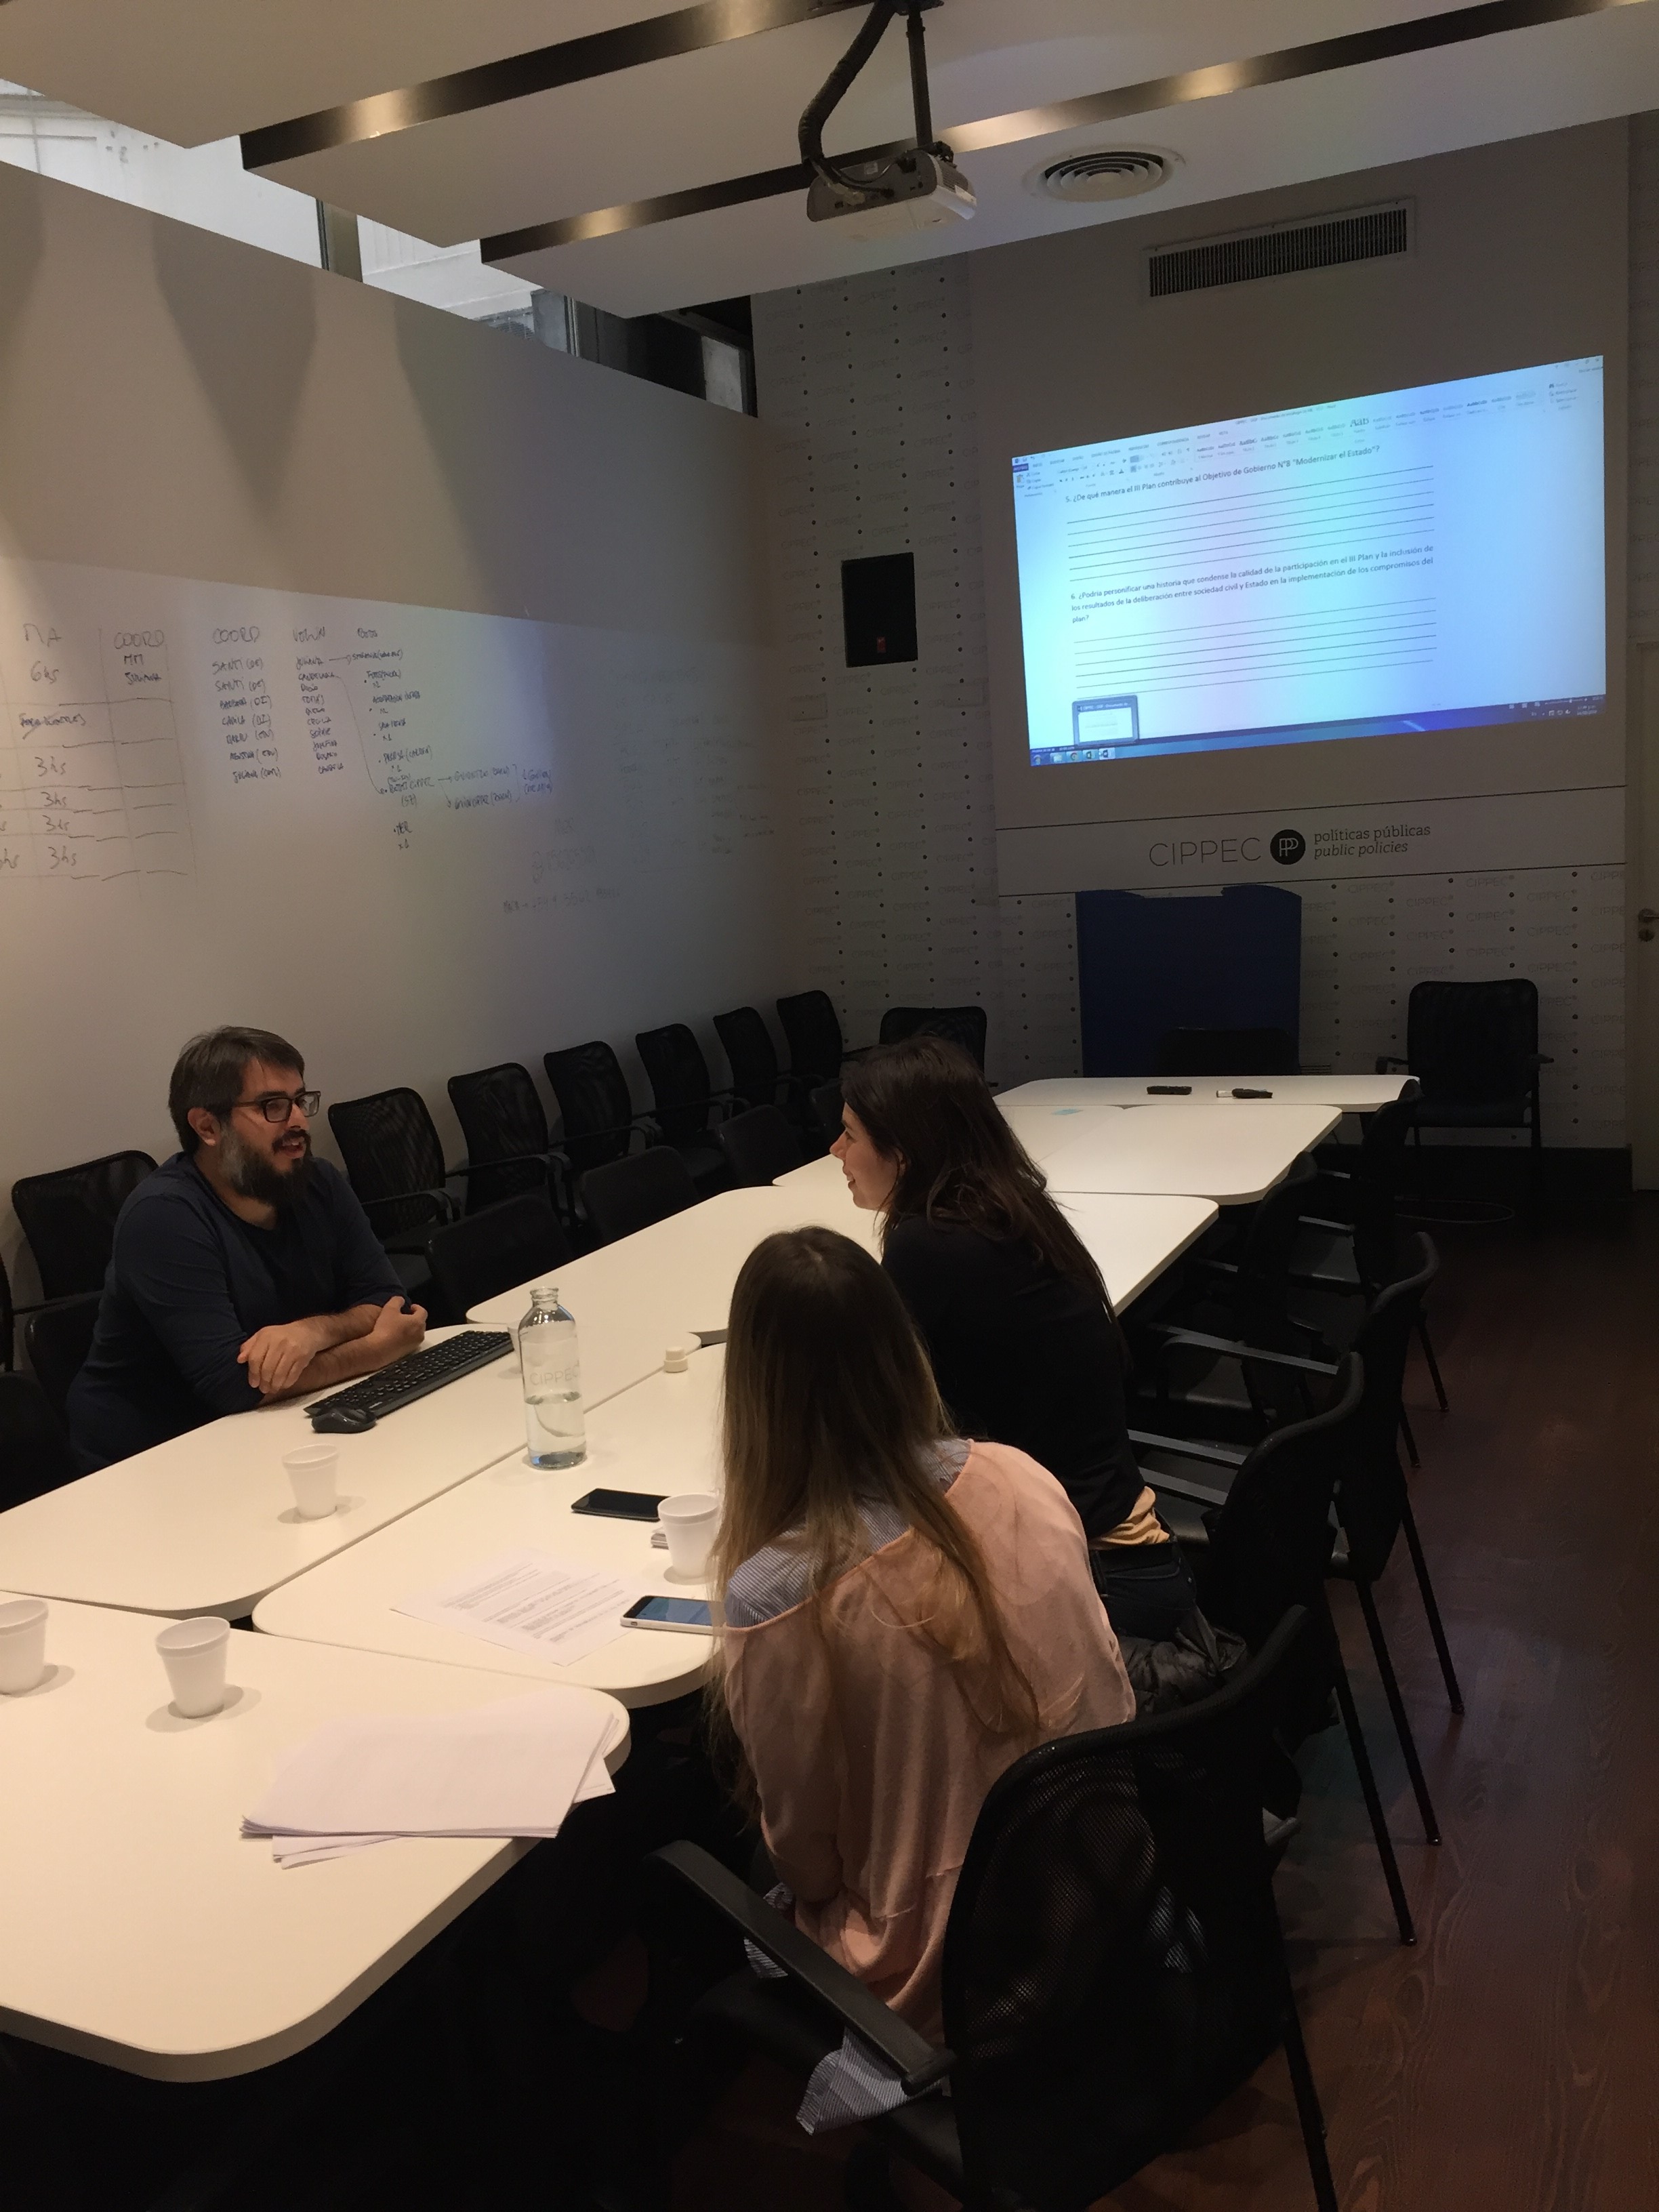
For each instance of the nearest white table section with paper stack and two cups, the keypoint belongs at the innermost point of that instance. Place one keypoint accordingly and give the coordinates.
(138, 1928)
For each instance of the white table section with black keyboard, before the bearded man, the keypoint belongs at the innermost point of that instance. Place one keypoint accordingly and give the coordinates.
(207, 1523)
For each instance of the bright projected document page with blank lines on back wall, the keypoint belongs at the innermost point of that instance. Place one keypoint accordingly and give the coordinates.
(1412, 561)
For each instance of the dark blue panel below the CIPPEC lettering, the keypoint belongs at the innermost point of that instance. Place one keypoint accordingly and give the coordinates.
(1147, 966)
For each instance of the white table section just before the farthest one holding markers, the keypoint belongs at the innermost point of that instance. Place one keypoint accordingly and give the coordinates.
(1231, 1154)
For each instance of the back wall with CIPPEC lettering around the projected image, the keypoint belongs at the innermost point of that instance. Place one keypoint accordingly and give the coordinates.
(1519, 247)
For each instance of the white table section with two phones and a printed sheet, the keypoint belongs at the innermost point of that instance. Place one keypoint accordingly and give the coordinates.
(656, 1437)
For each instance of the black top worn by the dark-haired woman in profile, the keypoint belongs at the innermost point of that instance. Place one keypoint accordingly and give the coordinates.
(1023, 1357)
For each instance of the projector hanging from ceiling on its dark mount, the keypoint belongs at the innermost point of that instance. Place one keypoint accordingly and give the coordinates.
(890, 194)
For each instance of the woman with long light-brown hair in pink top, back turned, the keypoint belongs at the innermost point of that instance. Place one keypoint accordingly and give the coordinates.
(906, 1614)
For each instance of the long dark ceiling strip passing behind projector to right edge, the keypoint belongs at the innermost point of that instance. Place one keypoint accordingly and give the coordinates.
(1284, 67)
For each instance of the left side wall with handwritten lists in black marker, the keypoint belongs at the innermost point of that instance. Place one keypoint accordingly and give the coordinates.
(176, 406)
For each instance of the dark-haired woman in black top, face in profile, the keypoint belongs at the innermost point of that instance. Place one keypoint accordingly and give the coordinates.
(1010, 1306)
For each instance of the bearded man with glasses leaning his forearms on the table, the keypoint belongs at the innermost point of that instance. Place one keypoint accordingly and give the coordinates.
(244, 1269)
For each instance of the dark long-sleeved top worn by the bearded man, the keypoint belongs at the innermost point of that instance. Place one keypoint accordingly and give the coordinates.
(189, 1284)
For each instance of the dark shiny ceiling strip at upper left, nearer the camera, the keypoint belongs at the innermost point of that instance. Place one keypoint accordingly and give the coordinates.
(576, 61)
